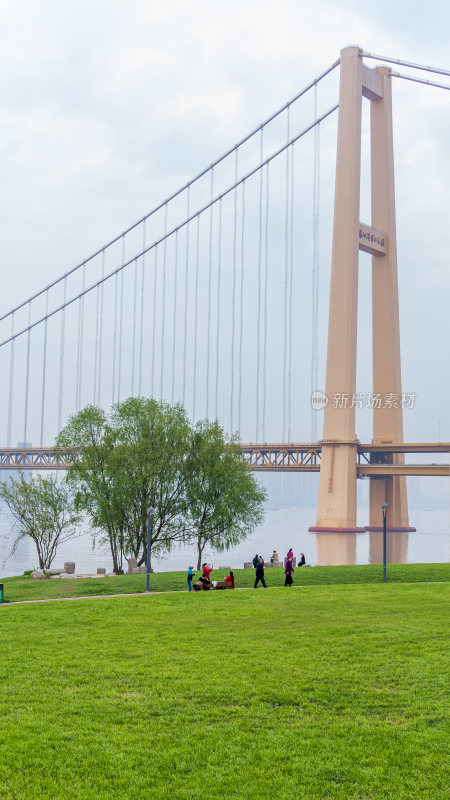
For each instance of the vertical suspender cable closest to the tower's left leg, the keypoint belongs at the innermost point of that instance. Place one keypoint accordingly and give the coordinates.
(315, 276)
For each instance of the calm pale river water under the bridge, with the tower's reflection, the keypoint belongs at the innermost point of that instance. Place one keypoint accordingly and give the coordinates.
(283, 527)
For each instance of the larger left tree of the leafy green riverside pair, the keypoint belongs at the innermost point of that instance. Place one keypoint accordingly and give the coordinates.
(130, 459)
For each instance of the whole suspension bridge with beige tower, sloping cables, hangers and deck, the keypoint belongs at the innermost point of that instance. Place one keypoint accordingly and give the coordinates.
(202, 302)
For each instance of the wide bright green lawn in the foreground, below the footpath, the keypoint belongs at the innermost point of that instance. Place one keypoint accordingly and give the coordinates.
(318, 692)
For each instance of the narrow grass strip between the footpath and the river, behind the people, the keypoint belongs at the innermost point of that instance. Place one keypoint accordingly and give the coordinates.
(25, 588)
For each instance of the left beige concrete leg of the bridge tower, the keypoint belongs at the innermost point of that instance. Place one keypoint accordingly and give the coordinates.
(336, 509)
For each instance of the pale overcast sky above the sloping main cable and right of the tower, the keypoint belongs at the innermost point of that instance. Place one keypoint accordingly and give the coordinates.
(108, 107)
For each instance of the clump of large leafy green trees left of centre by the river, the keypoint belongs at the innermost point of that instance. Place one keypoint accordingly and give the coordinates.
(143, 454)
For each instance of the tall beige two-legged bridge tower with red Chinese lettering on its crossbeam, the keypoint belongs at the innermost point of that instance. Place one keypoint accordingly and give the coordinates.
(336, 511)
